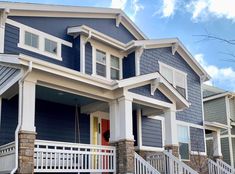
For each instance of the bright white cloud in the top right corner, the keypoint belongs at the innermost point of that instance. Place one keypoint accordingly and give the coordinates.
(201, 9)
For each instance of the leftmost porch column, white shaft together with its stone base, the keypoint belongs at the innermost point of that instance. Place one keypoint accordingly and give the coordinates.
(27, 132)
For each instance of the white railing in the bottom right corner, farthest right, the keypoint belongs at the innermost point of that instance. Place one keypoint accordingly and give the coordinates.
(219, 167)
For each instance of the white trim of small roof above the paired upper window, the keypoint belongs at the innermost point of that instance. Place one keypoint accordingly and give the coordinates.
(99, 36)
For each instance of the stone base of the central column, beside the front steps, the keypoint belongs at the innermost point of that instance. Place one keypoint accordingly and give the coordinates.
(125, 154)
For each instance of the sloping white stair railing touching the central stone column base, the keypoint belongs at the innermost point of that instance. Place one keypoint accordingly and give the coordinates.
(143, 167)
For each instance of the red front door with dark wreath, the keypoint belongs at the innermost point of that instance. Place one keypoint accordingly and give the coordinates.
(105, 132)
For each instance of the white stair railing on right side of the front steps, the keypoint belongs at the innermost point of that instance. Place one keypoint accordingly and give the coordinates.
(165, 162)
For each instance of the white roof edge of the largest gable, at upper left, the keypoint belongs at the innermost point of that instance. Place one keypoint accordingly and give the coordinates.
(45, 10)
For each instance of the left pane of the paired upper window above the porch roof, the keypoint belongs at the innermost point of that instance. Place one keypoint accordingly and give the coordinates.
(100, 63)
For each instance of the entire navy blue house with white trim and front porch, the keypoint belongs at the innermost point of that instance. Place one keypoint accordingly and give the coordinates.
(83, 88)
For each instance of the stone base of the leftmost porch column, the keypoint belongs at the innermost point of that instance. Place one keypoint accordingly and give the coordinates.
(26, 152)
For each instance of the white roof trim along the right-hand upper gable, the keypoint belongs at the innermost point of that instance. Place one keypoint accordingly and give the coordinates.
(181, 50)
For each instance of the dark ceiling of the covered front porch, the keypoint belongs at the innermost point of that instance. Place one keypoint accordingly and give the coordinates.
(62, 97)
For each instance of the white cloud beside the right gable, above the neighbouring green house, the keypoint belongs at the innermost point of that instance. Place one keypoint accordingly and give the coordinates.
(220, 76)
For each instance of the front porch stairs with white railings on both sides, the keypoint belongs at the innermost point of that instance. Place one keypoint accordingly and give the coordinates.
(161, 163)
